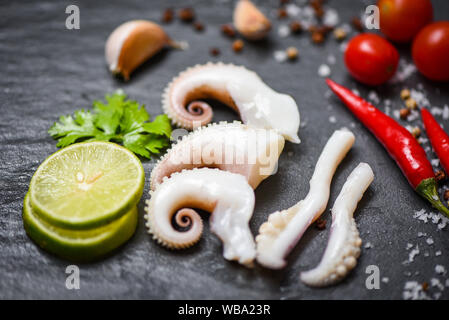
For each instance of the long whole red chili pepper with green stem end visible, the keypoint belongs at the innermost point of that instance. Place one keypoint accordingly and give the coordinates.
(399, 142)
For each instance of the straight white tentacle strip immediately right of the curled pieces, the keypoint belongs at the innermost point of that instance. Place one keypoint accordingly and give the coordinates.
(278, 236)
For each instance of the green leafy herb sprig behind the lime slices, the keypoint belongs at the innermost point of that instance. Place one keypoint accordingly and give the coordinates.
(118, 120)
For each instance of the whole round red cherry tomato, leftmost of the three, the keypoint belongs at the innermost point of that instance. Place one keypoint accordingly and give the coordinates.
(371, 59)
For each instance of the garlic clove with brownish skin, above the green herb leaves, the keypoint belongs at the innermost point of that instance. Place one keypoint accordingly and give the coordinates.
(131, 43)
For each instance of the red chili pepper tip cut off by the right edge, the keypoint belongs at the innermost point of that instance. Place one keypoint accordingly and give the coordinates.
(438, 138)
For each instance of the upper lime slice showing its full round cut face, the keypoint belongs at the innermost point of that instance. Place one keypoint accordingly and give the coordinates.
(87, 185)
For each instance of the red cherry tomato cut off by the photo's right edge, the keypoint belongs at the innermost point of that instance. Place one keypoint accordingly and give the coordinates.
(431, 51)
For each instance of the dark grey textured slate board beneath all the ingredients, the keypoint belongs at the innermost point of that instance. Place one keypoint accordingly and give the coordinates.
(50, 71)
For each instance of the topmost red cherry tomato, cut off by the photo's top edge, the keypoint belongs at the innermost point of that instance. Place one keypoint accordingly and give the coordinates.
(401, 20)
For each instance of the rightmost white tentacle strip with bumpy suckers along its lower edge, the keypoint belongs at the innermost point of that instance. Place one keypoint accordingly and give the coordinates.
(344, 243)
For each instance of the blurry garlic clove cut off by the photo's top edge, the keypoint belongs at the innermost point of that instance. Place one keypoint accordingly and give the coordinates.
(250, 21)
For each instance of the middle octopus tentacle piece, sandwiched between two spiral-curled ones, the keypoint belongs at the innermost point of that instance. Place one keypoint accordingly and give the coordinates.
(233, 147)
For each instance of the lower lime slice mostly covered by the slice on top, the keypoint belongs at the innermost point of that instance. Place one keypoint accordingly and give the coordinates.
(78, 245)
